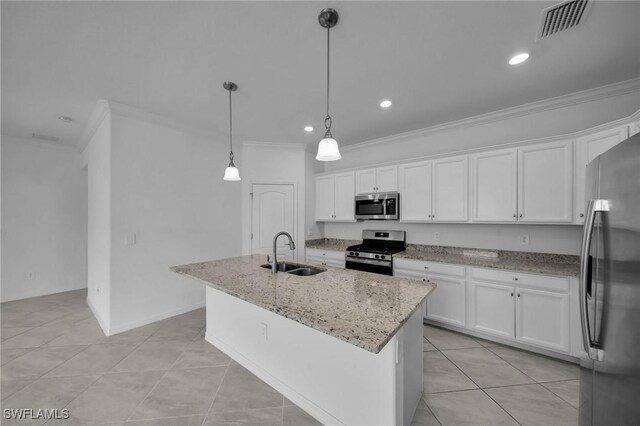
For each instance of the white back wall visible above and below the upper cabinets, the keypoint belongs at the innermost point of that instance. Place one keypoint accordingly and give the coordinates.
(548, 118)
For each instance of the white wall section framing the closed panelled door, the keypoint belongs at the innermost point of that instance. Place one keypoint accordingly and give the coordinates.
(272, 164)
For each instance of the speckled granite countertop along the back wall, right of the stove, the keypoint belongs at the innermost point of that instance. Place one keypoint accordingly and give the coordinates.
(538, 263)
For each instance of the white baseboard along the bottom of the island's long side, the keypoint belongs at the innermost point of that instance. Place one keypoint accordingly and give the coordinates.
(289, 393)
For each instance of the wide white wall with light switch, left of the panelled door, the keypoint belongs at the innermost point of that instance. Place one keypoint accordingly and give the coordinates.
(168, 206)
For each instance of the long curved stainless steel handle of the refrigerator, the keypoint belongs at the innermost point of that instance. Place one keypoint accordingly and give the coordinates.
(593, 207)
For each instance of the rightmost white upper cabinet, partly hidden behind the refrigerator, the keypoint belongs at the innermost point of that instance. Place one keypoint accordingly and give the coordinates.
(588, 148)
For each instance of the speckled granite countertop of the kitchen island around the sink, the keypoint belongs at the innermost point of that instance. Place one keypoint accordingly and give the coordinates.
(360, 308)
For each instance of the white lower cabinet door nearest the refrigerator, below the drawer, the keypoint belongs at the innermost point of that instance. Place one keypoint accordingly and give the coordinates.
(542, 319)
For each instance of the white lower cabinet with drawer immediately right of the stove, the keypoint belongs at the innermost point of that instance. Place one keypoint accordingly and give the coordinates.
(448, 302)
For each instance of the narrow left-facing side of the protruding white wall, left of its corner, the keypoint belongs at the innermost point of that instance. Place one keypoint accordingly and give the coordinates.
(97, 157)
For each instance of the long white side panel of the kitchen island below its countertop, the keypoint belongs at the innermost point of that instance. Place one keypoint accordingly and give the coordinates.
(334, 381)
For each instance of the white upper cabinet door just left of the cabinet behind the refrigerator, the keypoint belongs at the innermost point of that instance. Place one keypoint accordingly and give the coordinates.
(545, 182)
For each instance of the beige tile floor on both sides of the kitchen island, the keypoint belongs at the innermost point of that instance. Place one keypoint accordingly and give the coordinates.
(54, 355)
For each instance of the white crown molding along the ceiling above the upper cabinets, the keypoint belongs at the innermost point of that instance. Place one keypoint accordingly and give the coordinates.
(602, 92)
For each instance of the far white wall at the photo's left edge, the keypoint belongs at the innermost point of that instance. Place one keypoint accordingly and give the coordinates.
(44, 219)
